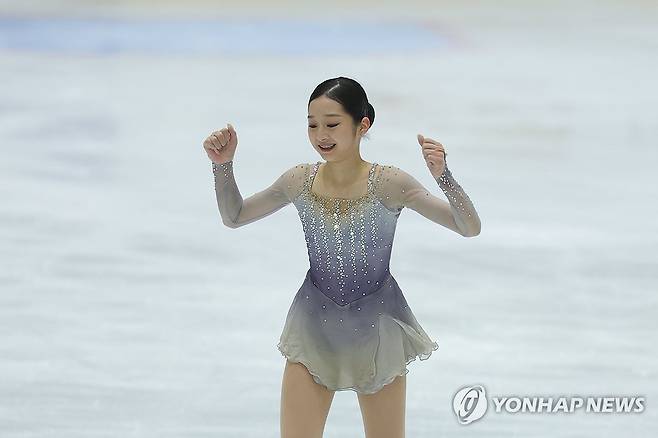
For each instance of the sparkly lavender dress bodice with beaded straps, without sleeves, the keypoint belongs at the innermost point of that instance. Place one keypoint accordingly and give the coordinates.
(349, 240)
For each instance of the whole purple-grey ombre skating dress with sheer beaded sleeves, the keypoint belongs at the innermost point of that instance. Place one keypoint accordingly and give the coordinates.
(349, 323)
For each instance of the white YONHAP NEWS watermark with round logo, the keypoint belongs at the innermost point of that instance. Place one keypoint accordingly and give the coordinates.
(471, 403)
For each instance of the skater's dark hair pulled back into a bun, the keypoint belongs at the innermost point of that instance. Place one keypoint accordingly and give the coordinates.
(350, 94)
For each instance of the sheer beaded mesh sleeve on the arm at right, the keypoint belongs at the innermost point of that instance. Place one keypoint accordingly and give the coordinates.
(397, 189)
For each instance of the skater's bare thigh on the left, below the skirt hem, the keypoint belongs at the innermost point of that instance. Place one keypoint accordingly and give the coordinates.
(304, 403)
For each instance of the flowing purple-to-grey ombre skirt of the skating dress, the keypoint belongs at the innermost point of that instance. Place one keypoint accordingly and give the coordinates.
(361, 346)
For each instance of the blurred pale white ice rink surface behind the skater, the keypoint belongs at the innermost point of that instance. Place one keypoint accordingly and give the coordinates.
(128, 310)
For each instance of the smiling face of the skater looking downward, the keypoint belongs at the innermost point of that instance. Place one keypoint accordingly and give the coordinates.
(329, 124)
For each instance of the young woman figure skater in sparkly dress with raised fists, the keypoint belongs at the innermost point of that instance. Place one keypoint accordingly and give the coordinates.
(349, 326)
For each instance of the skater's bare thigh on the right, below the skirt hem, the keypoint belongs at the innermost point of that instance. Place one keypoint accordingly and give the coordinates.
(383, 412)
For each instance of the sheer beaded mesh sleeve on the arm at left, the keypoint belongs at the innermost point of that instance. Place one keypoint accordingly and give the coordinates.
(236, 211)
